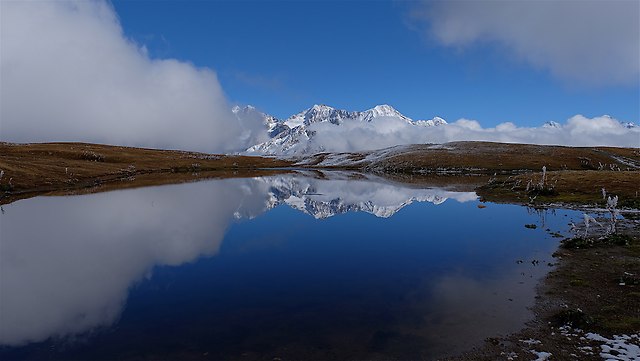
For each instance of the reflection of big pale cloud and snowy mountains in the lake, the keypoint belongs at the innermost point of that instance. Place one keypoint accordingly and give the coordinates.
(67, 263)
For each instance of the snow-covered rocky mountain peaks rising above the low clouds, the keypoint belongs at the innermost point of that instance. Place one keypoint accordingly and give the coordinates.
(294, 136)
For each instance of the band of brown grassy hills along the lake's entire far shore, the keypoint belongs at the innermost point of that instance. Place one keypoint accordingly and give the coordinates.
(576, 174)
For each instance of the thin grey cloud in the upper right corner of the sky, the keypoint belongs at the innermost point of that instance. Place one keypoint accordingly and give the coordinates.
(591, 42)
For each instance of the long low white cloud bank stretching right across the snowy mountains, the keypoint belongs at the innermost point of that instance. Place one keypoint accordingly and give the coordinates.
(387, 131)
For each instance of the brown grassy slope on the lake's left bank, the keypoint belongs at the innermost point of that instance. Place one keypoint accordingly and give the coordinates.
(35, 168)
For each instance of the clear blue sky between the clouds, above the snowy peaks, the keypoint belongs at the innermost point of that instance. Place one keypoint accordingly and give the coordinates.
(285, 56)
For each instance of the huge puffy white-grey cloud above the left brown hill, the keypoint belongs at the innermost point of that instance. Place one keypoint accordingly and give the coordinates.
(69, 74)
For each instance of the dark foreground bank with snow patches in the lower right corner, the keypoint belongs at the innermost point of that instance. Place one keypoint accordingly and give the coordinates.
(587, 307)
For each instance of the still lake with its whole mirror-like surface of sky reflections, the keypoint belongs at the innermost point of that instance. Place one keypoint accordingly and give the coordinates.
(285, 266)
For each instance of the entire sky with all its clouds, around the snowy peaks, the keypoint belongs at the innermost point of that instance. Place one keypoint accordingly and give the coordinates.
(165, 74)
